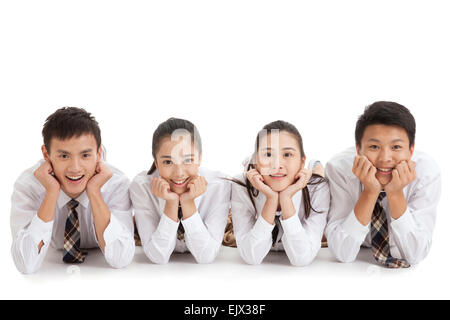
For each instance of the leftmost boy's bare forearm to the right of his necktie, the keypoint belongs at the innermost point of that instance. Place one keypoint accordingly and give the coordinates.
(101, 215)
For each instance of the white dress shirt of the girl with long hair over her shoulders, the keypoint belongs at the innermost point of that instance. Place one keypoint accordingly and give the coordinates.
(300, 237)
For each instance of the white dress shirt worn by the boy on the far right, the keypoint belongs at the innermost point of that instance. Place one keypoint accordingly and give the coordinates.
(409, 236)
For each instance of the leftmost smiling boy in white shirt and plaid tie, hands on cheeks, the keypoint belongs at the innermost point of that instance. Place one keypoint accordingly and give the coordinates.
(71, 199)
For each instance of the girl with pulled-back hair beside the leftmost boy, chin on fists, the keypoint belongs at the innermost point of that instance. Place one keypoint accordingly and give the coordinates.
(178, 205)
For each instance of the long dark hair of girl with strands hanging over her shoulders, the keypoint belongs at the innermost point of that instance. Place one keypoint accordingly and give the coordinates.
(287, 127)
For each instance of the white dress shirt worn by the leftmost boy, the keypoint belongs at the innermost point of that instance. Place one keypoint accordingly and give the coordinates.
(28, 230)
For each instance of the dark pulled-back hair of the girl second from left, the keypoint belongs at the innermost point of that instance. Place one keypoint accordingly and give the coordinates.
(166, 129)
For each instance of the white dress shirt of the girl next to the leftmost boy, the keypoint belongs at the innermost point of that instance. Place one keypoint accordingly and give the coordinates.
(204, 230)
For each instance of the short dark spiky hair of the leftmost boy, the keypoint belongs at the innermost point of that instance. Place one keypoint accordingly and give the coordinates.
(69, 122)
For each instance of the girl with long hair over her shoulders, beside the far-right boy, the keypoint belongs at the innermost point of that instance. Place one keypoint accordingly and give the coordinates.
(278, 203)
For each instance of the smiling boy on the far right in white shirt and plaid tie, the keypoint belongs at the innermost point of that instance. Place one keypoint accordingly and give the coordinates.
(384, 194)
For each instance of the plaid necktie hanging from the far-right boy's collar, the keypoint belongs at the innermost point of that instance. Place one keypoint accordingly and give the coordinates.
(380, 237)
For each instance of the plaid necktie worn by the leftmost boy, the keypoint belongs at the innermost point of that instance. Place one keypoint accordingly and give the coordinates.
(72, 252)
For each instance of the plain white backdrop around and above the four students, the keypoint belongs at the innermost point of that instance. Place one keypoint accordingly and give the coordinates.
(230, 67)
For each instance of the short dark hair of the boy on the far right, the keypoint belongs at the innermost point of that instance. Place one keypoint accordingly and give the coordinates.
(387, 113)
